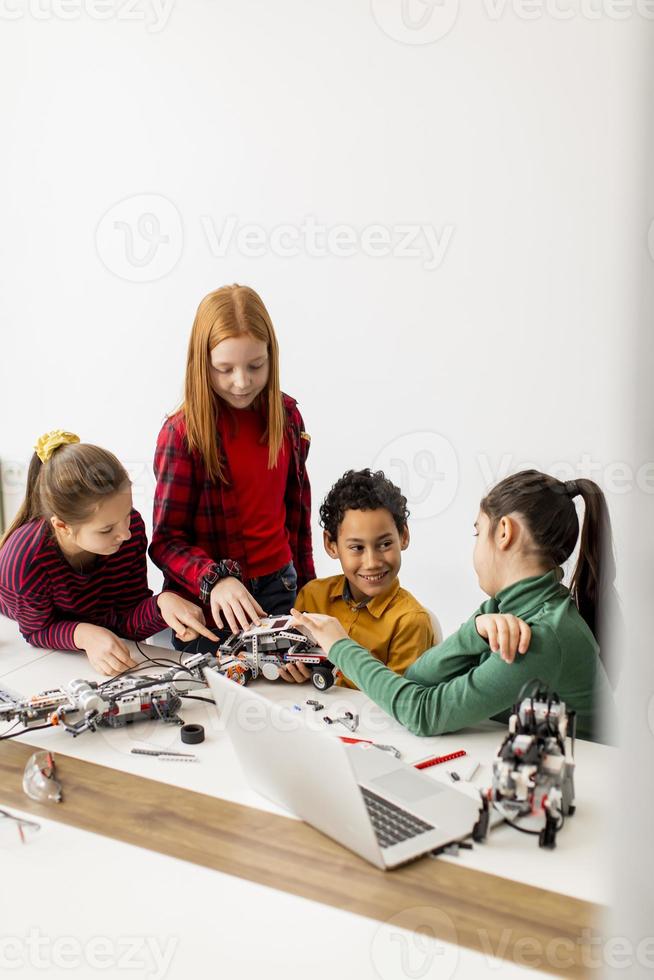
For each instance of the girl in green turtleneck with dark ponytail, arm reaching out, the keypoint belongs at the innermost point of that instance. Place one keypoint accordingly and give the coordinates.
(526, 528)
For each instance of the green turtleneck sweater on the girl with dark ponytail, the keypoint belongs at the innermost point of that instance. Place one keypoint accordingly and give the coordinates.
(460, 683)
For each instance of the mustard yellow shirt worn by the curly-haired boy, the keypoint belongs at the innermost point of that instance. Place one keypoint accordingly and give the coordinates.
(393, 626)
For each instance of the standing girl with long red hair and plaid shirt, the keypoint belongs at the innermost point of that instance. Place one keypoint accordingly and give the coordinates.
(232, 505)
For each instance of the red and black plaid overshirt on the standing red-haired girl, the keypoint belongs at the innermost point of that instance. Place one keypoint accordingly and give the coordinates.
(197, 521)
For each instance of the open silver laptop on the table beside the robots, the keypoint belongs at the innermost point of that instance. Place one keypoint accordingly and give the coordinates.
(379, 807)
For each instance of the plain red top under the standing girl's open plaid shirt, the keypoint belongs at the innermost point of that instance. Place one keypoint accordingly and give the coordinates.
(260, 490)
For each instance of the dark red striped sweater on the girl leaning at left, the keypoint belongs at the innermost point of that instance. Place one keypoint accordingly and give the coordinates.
(48, 598)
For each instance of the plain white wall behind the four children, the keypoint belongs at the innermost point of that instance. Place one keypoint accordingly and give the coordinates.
(517, 141)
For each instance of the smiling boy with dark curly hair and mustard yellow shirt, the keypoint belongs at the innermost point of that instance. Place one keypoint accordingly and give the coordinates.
(364, 518)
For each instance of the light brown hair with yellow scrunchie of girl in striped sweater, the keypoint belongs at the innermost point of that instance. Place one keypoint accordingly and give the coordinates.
(68, 479)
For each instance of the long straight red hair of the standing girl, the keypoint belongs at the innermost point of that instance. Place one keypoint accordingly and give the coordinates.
(230, 311)
